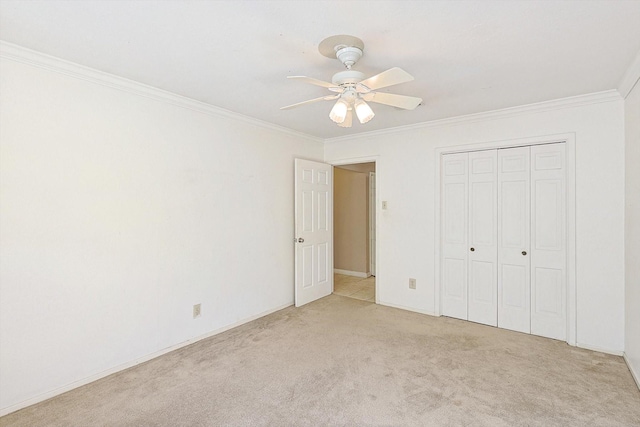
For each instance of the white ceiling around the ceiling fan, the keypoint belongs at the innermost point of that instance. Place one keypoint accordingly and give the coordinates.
(466, 56)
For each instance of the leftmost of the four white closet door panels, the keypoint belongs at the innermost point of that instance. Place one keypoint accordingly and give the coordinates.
(454, 234)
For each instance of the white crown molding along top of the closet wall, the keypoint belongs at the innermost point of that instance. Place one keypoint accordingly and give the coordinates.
(556, 104)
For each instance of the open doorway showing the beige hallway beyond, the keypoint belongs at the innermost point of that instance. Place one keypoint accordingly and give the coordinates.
(354, 230)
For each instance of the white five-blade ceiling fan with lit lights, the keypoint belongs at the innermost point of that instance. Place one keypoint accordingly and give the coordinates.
(352, 90)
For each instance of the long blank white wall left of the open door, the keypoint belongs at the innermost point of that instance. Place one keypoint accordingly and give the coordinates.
(119, 212)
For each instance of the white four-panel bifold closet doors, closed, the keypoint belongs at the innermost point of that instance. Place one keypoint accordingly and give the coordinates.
(503, 233)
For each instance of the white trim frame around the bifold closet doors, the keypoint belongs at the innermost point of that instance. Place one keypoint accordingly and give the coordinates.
(570, 144)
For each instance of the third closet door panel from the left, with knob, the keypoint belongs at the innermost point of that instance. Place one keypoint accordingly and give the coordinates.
(514, 240)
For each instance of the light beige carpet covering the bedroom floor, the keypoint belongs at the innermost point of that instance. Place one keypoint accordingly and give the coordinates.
(341, 361)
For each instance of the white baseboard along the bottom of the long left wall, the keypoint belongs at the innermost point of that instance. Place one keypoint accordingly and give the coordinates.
(48, 395)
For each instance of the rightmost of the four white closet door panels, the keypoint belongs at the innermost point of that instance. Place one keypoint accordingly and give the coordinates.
(548, 241)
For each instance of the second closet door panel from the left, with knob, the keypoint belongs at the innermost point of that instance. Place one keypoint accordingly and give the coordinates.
(483, 249)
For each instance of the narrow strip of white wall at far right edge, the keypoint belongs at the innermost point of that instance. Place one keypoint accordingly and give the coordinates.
(632, 230)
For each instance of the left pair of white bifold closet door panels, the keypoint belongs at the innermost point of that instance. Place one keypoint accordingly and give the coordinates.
(469, 236)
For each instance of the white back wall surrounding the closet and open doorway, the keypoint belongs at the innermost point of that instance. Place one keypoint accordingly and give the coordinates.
(406, 173)
